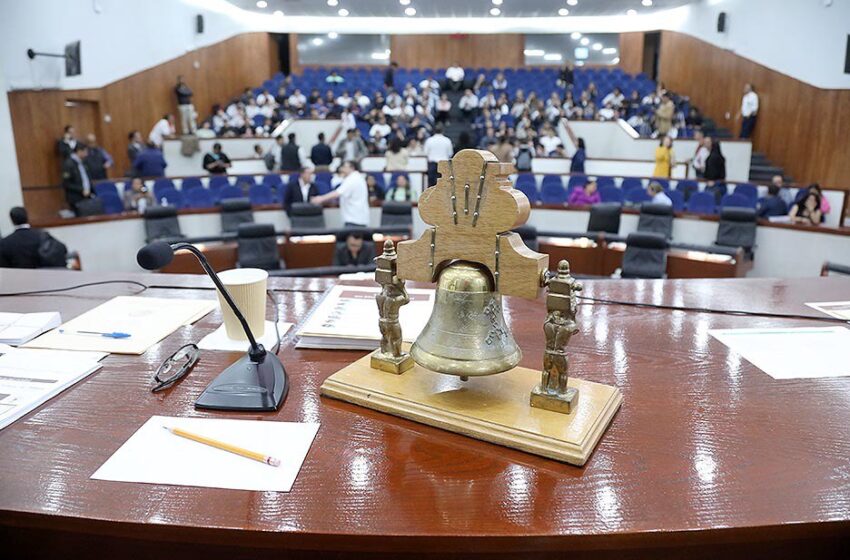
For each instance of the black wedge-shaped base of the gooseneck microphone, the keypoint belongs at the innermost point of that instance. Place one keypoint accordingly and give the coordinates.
(247, 386)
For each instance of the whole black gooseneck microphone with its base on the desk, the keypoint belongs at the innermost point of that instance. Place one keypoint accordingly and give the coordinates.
(256, 381)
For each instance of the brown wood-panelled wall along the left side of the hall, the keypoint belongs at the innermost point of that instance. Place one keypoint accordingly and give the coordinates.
(136, 102)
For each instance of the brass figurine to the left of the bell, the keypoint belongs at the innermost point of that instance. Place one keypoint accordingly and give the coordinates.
(393, 296)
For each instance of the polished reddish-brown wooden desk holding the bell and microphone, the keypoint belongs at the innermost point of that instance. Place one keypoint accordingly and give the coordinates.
(708, 458)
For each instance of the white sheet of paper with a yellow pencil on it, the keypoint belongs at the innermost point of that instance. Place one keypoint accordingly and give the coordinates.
(155, 456)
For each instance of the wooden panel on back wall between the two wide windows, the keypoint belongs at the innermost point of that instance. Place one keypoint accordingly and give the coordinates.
(435, 51)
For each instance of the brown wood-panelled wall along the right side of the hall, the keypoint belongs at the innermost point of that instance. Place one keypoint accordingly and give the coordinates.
(800, 127)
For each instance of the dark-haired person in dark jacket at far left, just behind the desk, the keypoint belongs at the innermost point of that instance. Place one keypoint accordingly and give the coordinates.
(28, 247)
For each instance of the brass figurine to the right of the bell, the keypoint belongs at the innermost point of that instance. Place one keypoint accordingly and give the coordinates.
(553, 392)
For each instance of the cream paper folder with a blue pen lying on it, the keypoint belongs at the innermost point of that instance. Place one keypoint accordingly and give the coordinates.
(147, 320)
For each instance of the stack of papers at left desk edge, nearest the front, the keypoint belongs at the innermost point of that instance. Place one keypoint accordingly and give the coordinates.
(28, 378)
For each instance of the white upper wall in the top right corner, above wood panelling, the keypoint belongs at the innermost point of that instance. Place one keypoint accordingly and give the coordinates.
(804, 39)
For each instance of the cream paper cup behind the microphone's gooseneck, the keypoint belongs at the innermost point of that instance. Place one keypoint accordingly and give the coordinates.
(247, 287)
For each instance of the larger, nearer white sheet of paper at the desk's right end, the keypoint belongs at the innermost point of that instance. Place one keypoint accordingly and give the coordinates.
(792, 353)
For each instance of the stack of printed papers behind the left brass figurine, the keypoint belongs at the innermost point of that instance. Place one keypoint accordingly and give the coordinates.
(348, 318)
